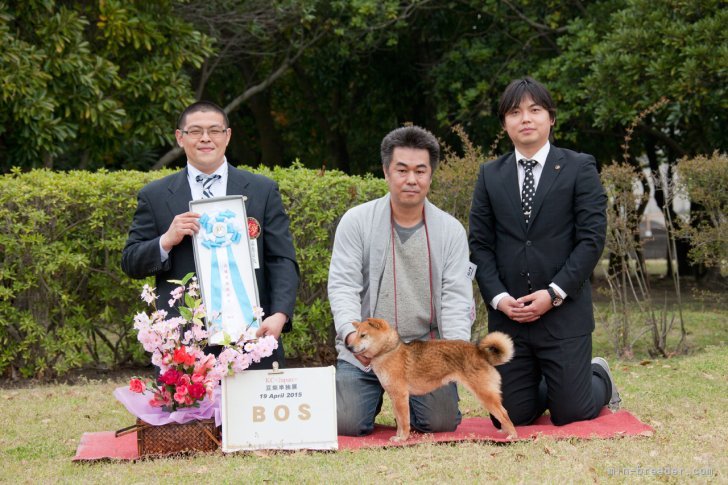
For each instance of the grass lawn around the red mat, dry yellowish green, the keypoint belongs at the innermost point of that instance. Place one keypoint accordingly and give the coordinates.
(684, 398)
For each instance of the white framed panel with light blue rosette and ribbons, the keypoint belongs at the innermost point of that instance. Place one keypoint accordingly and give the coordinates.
(225, 268)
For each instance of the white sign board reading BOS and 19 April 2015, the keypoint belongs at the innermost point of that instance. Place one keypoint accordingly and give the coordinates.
(280, 409)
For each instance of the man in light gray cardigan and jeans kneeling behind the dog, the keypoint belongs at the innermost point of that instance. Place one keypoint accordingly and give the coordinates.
(402, 259)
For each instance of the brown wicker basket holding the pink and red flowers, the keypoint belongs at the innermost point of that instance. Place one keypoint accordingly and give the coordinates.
(172, 439)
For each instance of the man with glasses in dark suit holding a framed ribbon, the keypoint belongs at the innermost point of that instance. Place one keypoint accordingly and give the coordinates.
(160, 239)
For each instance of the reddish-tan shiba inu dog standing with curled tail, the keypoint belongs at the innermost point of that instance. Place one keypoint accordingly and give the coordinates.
(419, 367)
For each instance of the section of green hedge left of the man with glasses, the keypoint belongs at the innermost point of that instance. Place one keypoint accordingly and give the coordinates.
(64, 301)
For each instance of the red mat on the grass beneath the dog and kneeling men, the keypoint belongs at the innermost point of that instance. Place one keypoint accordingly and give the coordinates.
(97, 446)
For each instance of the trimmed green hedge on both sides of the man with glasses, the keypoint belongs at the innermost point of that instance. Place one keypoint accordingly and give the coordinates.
(64, 301)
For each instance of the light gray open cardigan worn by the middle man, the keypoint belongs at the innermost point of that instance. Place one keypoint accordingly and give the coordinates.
(357, 262)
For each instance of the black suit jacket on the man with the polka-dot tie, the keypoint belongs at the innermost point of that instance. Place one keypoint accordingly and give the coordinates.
(562, 243)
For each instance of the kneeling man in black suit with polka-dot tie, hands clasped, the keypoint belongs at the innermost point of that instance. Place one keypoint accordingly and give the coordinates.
(537, 231)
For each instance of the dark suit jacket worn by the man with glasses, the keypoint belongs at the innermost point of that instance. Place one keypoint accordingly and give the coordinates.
(160, 201)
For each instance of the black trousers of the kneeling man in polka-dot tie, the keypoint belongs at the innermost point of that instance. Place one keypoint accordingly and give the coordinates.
(554, 374)
